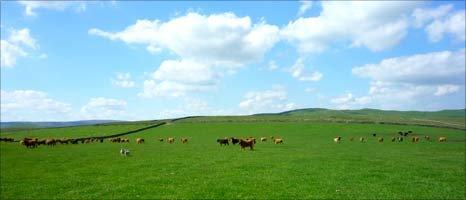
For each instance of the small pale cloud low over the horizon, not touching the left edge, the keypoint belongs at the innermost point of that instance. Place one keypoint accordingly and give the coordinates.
(104, 108)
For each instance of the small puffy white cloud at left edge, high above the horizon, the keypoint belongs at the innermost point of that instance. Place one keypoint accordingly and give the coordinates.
(16, 46)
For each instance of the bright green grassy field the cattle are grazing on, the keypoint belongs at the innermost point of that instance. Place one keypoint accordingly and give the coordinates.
(308, 165)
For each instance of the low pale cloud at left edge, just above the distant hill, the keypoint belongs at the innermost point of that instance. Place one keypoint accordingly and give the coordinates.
(31, 105)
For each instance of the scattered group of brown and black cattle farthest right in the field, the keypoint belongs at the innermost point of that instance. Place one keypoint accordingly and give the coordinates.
(398, 138)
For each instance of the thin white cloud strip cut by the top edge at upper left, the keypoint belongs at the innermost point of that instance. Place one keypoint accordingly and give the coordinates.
(31, 6)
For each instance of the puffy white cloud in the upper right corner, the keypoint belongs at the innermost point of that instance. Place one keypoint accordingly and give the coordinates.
(441, 21)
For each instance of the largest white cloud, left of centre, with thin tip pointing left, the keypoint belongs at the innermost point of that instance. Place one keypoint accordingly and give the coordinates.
(208, 47)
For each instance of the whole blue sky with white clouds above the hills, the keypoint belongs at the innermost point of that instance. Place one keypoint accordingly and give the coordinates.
(64, 61)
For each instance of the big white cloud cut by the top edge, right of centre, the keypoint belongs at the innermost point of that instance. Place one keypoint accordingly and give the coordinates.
(375, 25)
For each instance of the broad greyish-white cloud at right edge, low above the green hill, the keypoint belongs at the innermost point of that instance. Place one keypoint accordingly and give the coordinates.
(416, 81)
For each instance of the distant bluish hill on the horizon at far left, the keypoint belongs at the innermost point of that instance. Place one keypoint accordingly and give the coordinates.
(52, 124)
